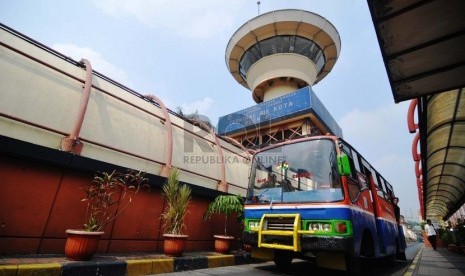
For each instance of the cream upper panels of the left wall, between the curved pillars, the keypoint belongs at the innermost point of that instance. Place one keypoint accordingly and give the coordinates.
(40, 93)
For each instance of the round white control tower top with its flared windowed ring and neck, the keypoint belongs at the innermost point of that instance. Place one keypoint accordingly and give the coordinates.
(281, 51)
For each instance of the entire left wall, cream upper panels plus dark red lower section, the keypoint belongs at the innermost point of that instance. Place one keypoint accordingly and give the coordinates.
(40, 185)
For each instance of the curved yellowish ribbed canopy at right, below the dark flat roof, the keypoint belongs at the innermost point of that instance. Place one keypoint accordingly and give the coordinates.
(444, 188)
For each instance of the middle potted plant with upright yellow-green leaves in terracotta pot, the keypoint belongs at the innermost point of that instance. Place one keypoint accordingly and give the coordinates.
(177, 198)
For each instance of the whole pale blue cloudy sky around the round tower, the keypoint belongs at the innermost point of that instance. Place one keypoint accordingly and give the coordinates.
(175, 50)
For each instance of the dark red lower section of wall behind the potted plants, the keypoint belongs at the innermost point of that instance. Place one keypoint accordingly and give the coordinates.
(39, 202)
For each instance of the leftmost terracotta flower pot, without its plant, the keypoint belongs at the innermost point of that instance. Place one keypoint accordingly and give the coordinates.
(81, 245)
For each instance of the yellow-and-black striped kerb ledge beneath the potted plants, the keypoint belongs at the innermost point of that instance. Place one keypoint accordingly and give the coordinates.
(117, 264)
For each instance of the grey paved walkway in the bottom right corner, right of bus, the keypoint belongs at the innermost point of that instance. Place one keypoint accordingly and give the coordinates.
(441, 262)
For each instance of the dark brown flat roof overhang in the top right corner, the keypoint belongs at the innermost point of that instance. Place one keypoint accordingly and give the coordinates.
(422, 45)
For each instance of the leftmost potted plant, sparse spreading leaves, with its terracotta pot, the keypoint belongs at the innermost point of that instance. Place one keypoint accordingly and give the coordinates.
(106, 197)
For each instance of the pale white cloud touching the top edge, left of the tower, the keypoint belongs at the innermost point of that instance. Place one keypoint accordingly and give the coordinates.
(198, 19)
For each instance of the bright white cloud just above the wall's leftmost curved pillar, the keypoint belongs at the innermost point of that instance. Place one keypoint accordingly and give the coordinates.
(96, 60)
